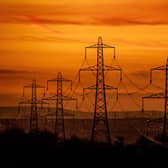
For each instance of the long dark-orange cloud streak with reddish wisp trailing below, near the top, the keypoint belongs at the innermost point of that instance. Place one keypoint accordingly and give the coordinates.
(42, 21)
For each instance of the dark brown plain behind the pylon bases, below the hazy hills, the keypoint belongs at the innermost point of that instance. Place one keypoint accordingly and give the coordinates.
(82, 128)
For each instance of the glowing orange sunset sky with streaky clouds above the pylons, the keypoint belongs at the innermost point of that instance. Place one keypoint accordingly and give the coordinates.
(40, 38)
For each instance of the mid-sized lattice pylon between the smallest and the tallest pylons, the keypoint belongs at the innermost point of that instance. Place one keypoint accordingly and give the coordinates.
(59, 122)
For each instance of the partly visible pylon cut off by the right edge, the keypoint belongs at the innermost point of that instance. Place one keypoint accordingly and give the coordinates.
(160, 95)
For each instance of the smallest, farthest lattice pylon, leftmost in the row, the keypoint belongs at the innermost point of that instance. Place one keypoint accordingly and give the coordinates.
(33, 102)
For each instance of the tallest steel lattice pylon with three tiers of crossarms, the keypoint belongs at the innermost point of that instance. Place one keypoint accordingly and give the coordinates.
(100, 127)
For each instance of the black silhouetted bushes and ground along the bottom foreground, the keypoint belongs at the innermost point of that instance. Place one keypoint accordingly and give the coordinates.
(18, 146)
